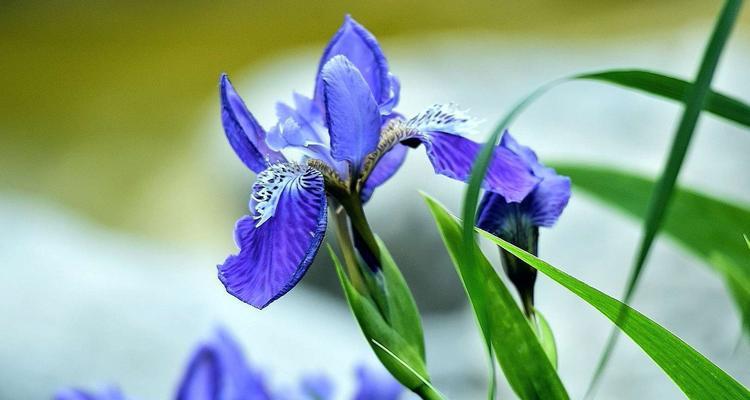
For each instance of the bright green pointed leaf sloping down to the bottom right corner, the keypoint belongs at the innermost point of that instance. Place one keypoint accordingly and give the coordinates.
(696, 376)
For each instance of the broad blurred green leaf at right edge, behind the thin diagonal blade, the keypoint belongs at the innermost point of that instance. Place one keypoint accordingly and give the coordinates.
(720, 223)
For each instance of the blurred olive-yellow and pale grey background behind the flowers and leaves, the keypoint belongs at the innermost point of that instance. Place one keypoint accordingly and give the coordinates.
(118, 193)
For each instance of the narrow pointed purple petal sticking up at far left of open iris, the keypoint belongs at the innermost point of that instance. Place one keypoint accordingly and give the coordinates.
(245, 135)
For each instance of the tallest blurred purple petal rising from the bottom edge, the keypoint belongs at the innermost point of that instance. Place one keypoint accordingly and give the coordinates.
(218, 371)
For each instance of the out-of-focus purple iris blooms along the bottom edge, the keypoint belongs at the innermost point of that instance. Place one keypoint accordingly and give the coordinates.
(218, 370)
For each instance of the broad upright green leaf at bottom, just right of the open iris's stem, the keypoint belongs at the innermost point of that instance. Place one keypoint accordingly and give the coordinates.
(522, 358)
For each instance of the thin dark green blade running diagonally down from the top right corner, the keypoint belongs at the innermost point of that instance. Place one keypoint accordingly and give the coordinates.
(695, 100)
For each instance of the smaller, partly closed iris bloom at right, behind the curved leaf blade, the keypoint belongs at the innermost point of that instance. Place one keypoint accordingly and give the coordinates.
(519, 222)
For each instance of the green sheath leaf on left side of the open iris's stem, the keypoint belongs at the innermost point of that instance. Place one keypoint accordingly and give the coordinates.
(375, 328)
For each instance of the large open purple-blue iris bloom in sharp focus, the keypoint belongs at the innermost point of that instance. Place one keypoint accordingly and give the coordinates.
(334, 150)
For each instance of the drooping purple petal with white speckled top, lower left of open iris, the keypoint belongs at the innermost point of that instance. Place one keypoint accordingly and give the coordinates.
(278, 243)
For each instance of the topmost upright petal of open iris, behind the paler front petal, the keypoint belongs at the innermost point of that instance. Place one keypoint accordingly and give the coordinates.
(358, 45)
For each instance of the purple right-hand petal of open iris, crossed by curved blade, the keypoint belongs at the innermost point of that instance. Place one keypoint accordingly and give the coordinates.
(453, 156)
